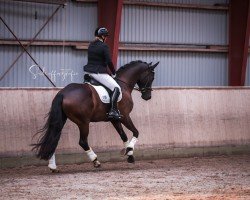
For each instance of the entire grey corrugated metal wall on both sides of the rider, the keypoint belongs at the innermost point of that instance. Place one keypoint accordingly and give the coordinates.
(77, 22)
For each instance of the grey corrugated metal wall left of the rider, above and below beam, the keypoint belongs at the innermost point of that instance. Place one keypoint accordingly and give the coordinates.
(75, 22)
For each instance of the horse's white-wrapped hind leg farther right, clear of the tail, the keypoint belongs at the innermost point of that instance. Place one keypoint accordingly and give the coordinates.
(83, 142)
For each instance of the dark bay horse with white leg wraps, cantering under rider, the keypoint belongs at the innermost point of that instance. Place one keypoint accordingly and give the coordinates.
(81, 104)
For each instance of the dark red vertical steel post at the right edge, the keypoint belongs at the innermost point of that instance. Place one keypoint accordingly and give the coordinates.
(239, 30)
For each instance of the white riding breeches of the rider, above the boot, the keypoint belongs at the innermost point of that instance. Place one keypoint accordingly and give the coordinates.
(106, 80)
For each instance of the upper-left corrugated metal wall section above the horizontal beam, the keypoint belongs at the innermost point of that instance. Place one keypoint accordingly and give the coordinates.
(76, 21)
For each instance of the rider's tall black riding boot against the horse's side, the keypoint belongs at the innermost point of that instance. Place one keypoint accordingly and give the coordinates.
(114, 112)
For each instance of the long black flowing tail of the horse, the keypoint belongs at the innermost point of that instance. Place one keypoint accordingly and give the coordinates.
(47, 143)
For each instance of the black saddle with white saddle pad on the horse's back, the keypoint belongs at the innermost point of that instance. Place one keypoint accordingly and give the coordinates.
(103, 92)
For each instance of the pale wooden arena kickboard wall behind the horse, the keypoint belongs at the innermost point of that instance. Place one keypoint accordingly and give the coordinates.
(175, 122)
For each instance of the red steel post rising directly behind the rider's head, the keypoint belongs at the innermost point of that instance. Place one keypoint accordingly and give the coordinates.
(109, 16)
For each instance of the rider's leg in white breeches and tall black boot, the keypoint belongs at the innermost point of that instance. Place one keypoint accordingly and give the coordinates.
(110, 83)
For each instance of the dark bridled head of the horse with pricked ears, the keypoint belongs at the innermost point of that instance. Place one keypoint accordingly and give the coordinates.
(146, 80)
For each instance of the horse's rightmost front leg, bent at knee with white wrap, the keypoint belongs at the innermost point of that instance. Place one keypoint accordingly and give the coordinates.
(131, 145)
